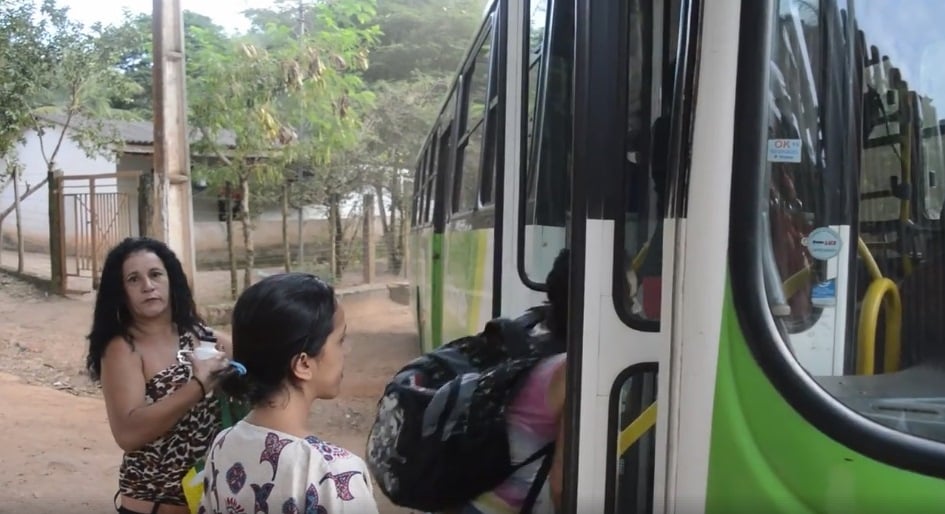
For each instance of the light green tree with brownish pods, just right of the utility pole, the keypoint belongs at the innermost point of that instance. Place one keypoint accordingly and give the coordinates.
(286, 102)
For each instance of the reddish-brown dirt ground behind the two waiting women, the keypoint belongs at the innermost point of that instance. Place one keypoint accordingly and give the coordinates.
(60, 456)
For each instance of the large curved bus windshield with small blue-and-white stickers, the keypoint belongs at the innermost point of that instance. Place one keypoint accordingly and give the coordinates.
(853, 260)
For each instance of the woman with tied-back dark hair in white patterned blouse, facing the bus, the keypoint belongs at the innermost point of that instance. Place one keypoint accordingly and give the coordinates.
(289, 331)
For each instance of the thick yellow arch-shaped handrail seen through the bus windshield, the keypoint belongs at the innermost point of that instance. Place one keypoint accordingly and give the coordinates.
(881, 293)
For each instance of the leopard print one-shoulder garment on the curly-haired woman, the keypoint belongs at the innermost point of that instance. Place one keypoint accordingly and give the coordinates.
(154, 472)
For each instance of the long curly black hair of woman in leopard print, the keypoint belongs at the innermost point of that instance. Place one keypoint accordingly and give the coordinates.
(112, 318)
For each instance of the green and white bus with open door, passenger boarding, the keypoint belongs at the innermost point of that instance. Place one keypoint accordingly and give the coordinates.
(752, 194)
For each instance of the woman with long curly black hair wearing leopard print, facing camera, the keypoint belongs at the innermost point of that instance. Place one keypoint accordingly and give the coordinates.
(159, 407)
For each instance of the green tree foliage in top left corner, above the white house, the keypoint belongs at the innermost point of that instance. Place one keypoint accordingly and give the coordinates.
(58, 70)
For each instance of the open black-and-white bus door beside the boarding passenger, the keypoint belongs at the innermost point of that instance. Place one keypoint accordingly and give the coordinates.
(628, 187)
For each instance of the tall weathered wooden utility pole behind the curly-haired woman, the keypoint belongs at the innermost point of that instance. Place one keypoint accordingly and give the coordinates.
(173, 206)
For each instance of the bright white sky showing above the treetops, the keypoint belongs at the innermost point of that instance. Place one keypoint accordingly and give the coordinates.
(226, 14)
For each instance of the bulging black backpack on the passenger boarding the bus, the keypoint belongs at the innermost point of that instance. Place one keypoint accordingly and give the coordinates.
(440, 438)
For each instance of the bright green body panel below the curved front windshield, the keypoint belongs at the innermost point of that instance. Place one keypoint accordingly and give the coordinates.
(766, 457)
